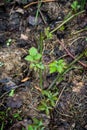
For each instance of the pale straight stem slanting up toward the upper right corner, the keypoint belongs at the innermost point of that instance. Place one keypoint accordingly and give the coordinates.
(71, 17)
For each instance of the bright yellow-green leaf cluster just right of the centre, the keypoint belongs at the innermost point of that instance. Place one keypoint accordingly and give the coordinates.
(57, 66)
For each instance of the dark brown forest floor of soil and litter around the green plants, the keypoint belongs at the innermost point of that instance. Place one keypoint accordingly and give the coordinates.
(18, 33)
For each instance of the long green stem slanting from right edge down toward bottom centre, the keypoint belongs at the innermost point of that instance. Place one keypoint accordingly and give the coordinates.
(59, 77)
